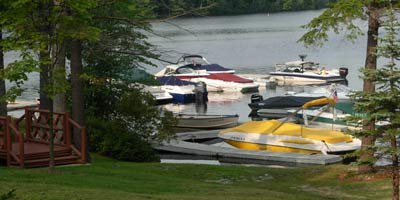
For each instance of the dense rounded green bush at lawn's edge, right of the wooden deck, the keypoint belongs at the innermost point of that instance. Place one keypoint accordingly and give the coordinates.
(133, 124)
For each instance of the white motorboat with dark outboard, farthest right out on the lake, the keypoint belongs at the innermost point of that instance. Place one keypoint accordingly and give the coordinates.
(306, 73)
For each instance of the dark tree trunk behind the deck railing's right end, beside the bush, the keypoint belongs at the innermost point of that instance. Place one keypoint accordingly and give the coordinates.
(78, 108)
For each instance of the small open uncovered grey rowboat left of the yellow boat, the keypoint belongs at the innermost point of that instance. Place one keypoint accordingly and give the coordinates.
(206, 121)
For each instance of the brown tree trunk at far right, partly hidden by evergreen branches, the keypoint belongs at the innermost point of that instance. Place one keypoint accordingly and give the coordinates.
(370, 63)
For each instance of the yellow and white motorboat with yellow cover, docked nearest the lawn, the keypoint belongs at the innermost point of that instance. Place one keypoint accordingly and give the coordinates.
(281, 136)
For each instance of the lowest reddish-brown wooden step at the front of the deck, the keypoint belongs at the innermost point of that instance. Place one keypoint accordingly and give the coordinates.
(64, 160)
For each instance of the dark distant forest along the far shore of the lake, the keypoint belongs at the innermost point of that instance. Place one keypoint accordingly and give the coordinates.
(236, 7)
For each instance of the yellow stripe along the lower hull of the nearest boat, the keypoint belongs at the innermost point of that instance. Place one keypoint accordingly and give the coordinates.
(254, 146)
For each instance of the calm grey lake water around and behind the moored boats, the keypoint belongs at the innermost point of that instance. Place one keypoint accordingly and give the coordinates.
(252, 44)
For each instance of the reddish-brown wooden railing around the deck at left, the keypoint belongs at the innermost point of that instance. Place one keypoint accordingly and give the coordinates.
(37, 130)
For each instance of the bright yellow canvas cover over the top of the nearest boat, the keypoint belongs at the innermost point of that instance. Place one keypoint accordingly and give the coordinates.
(276, 127)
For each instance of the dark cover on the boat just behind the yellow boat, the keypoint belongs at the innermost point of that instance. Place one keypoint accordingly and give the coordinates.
(282, 102)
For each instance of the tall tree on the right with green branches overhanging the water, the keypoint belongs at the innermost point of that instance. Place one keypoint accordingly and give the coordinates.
(341, 16)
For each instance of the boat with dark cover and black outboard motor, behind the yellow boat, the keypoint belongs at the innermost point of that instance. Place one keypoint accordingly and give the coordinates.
(278, 106)
